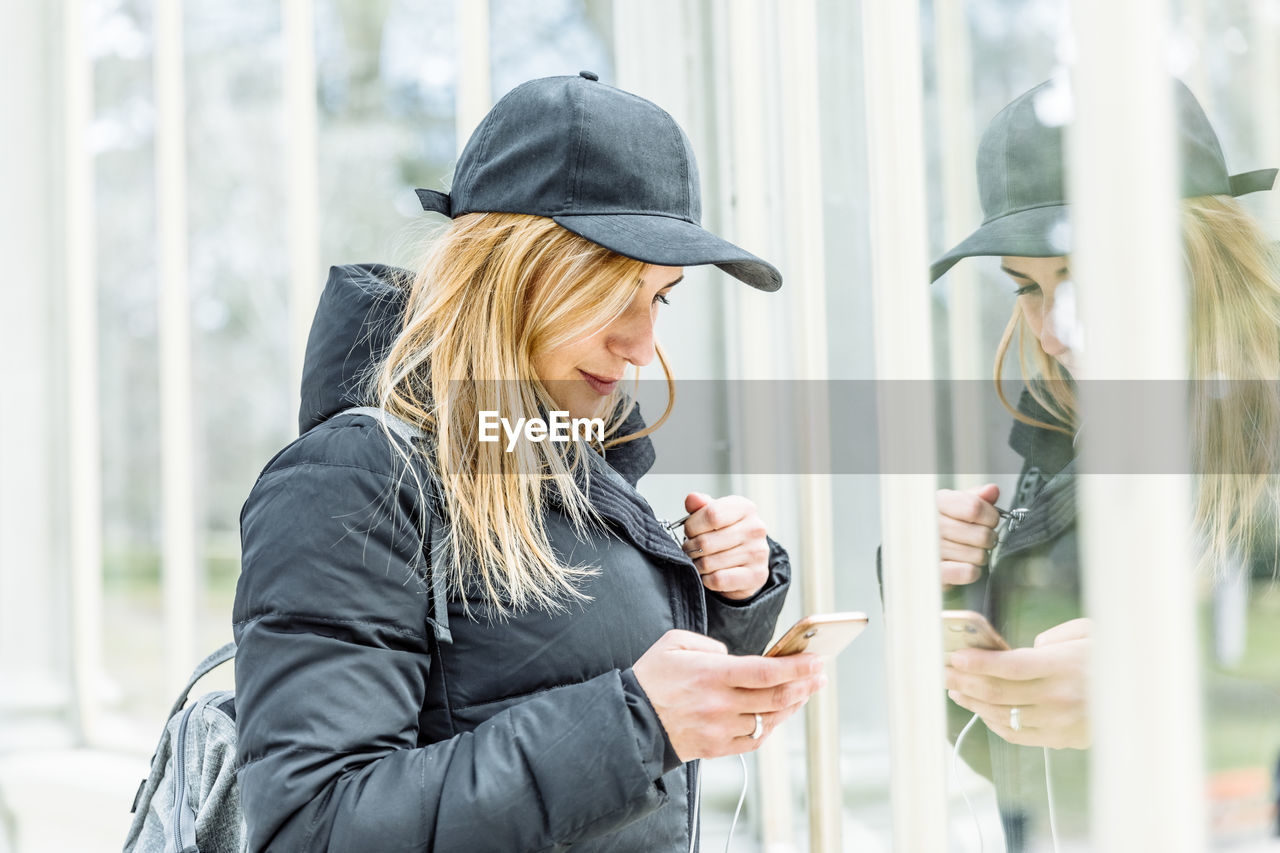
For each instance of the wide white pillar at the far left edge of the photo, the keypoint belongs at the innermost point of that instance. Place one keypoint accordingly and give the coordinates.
(34, 516)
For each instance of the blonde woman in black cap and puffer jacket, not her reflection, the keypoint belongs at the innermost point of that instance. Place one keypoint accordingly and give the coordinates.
(449, 646)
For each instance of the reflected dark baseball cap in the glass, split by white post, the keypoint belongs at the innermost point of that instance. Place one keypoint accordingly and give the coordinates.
(1022, 175)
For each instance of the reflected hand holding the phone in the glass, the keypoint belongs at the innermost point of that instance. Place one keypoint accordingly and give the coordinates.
(1048, 685)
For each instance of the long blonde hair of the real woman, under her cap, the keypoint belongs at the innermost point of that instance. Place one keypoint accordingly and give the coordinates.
(495, 291)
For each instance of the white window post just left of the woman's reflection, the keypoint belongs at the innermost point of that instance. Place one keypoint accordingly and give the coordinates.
(913, 599)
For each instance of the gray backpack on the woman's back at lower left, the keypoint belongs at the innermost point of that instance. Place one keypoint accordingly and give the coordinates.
(190, 802)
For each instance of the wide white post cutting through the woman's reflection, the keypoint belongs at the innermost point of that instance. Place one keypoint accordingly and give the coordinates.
(1145, 710)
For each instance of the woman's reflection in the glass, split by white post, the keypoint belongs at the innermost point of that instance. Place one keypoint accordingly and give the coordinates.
(1027, 577)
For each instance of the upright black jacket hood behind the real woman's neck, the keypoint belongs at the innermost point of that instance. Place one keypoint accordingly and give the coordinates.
(356, 321)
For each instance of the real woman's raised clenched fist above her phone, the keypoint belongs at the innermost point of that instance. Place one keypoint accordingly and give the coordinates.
(726, 541)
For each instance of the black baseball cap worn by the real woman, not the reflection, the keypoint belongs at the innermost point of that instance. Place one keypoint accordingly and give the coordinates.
(606, 165)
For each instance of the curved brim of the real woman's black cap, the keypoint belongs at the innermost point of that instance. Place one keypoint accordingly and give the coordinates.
(671, 243)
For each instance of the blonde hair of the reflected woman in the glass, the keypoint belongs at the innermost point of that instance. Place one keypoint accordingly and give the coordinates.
(1235, 293)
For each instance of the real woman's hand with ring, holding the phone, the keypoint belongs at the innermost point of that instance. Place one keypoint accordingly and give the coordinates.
(707, 699)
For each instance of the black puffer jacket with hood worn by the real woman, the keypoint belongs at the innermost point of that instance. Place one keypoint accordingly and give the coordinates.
(368, 724)
